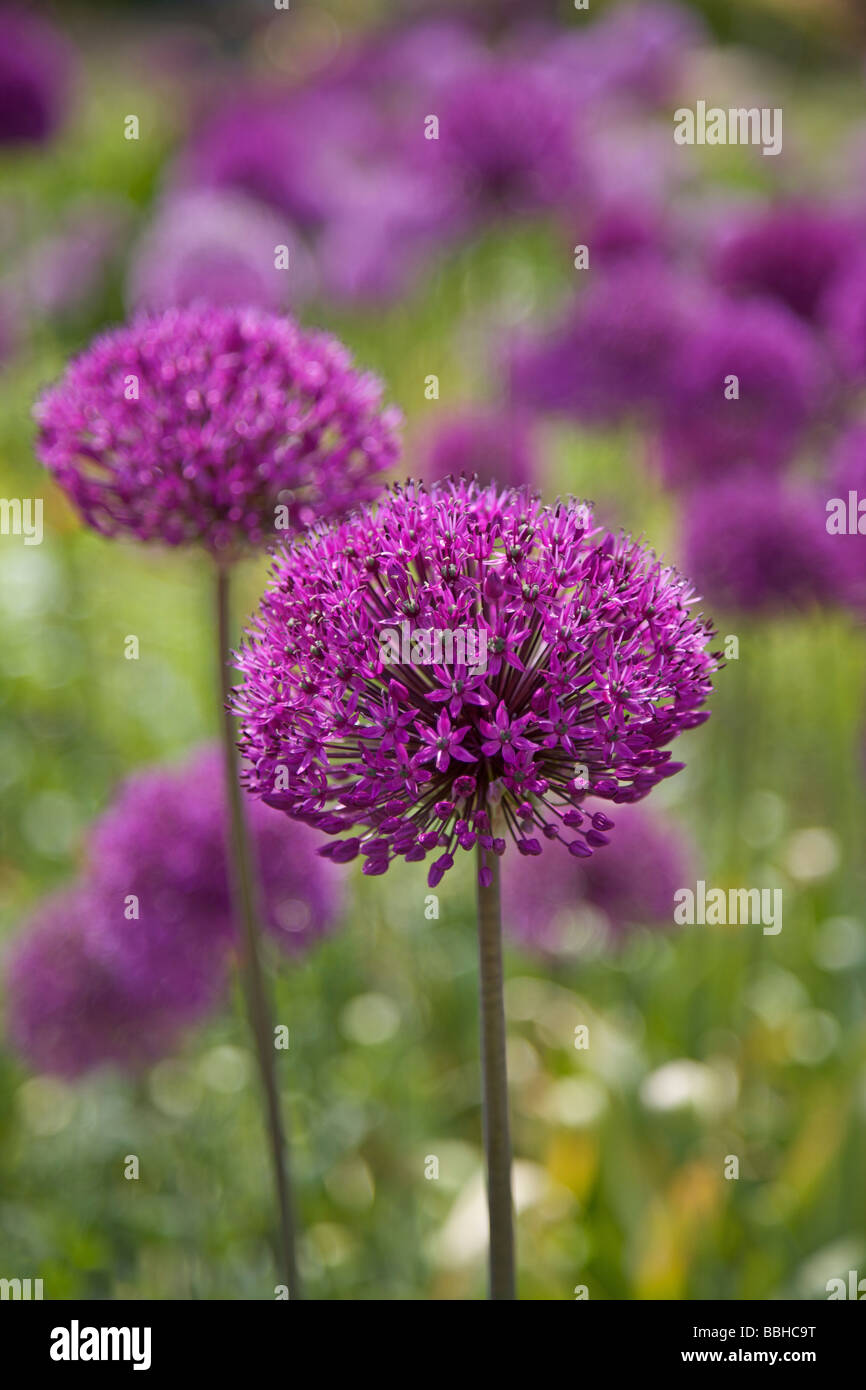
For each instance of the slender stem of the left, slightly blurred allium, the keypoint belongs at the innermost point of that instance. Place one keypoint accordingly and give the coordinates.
(247, 906)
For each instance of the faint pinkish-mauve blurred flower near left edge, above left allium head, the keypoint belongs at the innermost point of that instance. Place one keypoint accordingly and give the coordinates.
(66, 272)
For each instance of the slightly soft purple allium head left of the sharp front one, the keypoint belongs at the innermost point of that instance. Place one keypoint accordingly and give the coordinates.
(234, 414)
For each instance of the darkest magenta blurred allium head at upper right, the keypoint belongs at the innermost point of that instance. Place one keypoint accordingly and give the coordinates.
(792, 252)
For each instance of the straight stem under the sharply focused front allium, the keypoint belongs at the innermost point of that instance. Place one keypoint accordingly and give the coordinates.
(497, 1138)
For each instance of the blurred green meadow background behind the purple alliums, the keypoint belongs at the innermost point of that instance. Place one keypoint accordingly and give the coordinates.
(705, 1043)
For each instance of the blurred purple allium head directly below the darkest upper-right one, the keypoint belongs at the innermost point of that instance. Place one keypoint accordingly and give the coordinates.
(779, 373)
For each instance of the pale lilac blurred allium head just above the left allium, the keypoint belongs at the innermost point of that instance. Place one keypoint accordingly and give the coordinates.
(220, 248)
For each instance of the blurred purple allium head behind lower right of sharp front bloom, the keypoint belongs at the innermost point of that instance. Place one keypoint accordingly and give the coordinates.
(632, 883)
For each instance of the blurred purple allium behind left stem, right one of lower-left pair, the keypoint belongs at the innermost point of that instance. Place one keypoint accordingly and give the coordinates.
(165, 840)
